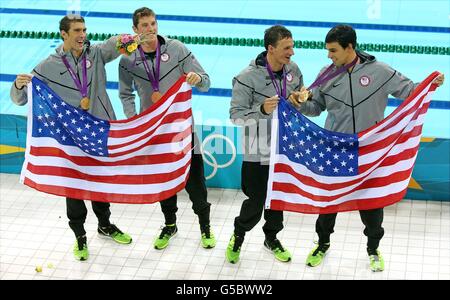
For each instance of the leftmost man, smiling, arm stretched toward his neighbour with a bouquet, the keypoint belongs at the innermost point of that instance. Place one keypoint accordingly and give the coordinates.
(76, 72)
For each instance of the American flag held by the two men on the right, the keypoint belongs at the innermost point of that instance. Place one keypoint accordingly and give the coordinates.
(313, 170)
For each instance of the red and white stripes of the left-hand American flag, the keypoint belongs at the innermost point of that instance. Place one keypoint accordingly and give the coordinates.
(149, 161)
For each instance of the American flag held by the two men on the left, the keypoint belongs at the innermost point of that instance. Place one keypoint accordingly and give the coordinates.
(143, 159)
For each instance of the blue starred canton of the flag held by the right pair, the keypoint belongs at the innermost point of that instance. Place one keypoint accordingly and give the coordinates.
(323, 152)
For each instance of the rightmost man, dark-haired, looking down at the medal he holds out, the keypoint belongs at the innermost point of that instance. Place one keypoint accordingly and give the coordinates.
(354, 90)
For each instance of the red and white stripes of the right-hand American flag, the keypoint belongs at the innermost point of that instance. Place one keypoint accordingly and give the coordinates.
(387, 152)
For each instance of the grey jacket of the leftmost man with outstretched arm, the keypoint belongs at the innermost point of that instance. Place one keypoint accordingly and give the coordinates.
(54, 73)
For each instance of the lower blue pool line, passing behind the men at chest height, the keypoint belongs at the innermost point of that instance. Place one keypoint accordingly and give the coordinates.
(217, 92)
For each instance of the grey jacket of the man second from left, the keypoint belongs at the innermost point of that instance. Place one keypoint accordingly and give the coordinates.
(176, 60)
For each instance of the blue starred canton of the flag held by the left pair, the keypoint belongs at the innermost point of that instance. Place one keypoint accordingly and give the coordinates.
(54, 118)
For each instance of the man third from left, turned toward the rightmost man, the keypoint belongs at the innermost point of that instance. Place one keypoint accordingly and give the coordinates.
(257, 90)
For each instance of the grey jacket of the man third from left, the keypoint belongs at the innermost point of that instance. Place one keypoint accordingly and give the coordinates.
(250, 88)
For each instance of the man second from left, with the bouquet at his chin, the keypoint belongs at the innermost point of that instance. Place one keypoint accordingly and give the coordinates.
(150, 71)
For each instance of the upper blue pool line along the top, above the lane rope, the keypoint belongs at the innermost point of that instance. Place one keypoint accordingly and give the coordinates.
(231, 20)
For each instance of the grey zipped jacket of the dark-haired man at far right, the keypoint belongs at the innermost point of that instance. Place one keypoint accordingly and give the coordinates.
(355, 101)
